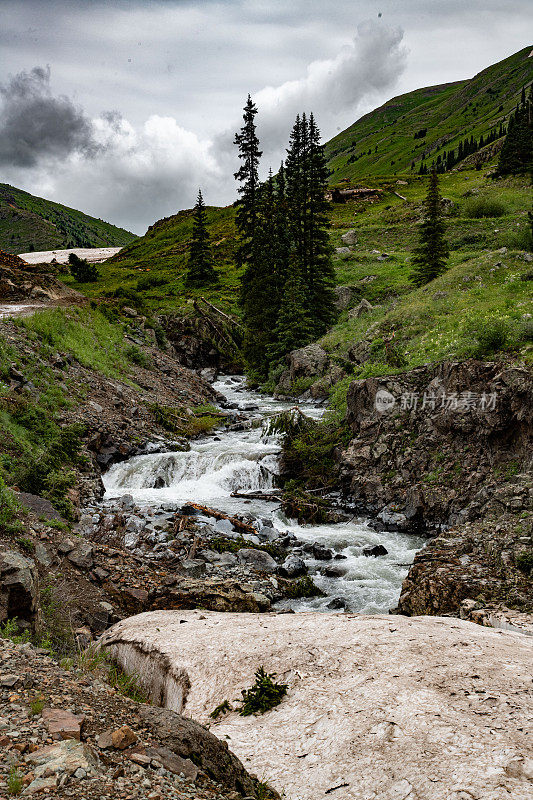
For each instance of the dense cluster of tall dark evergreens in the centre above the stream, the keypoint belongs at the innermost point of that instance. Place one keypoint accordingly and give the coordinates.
(287, 283)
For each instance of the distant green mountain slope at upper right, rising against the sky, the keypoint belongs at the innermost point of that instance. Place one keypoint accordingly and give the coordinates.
(383, 142)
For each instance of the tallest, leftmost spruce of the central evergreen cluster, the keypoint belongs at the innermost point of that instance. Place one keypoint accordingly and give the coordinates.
(248, 177)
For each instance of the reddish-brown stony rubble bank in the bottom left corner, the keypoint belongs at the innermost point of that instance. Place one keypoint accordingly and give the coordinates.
(68, 733)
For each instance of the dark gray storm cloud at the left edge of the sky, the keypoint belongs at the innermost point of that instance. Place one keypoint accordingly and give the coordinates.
(35, 124)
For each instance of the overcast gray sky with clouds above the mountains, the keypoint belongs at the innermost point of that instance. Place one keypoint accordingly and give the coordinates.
(122, 108)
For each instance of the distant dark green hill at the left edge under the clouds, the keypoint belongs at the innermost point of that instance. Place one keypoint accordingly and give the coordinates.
(31, 223)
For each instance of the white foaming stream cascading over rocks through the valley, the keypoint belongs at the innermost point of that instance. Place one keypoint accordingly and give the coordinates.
(245, 460)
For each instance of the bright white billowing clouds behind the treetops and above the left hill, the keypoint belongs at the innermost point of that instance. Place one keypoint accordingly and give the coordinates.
(138, 174)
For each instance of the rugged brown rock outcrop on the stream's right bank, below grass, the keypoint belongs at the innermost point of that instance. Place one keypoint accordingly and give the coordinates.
(449, 445)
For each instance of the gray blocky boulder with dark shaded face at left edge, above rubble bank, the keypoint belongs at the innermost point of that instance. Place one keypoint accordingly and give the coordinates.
(18, 586)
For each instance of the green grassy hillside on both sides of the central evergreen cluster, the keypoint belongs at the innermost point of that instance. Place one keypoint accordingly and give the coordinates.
(483, 279)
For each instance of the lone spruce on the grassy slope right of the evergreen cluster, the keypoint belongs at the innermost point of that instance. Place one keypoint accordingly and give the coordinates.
(430, 257)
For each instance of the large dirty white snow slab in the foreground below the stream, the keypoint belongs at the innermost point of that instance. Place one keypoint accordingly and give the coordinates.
(378, 708)
